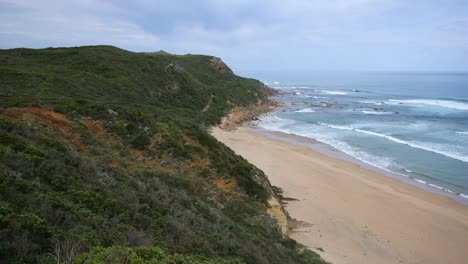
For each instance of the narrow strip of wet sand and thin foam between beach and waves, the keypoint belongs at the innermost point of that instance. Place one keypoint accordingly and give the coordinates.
(332, 152)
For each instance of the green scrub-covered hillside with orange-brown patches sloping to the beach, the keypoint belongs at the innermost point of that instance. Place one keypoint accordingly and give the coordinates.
(105, 158)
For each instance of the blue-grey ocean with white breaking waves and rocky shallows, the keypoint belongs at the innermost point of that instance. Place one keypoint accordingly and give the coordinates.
(412, 124)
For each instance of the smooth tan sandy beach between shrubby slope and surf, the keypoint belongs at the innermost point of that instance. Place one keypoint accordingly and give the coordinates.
(353, 214)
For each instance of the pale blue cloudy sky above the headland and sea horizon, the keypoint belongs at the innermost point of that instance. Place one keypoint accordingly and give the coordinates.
(256, 35)
